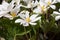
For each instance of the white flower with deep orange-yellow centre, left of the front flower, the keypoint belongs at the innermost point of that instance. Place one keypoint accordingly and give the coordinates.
(13, 13)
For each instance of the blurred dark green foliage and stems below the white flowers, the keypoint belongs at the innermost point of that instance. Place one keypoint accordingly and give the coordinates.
(47, 30)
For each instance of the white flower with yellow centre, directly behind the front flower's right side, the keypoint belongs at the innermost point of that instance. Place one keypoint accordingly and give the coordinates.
(41, 7)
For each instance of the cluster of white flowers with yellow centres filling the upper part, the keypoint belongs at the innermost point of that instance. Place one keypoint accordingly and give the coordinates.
(12, 9)
